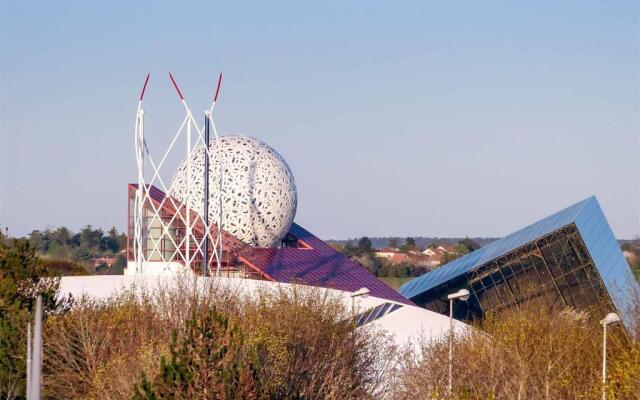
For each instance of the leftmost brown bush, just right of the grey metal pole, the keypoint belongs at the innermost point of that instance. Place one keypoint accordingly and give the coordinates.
(99, 347)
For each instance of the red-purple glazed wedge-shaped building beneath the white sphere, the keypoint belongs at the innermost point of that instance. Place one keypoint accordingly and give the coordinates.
(299, 257)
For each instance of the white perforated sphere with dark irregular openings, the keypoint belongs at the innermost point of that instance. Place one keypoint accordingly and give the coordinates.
(259, 196)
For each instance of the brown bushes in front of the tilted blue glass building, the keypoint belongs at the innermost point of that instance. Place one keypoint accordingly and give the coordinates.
(527, 353)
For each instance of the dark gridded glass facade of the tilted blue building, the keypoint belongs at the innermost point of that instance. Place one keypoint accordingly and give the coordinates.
(556, 269)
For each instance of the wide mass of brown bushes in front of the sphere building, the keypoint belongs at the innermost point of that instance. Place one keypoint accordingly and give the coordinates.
(214, 343)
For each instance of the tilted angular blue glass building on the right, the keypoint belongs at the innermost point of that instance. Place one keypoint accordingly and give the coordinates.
(570, 259)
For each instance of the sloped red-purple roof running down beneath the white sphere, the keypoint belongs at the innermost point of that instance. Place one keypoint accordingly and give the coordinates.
(316, 265)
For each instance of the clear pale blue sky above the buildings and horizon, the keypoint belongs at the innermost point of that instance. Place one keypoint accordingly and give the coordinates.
(397, 118)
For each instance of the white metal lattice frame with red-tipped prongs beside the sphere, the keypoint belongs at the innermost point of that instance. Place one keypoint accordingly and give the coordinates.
(183, 209)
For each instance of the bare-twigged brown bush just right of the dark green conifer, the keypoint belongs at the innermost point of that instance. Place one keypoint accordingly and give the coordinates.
(308, 347)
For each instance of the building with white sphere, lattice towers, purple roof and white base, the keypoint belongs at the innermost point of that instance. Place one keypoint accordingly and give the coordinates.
(227, 217)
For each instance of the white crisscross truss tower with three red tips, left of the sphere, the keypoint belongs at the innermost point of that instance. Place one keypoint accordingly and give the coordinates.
(192, 249)
